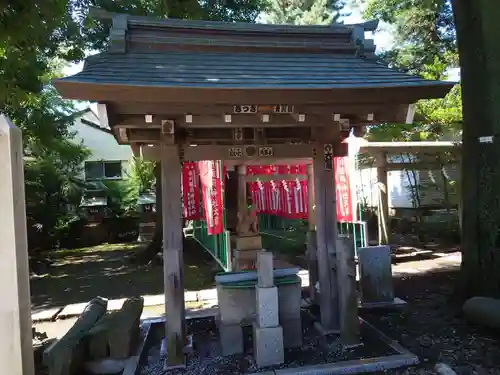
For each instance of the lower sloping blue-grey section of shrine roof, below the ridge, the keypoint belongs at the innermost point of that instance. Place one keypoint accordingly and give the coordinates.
(243, 70)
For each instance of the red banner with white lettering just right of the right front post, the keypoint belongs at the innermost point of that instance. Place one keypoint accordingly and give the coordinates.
(343, 190)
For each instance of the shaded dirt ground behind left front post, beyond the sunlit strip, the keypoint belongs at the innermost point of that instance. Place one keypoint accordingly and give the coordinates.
(79, 275)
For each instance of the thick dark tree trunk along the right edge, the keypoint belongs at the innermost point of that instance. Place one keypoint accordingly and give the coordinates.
(478, 35)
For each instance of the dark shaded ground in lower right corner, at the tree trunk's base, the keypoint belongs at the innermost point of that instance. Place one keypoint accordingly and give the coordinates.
(434, 329)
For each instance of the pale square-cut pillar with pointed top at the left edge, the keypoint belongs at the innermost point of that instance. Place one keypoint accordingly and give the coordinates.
(16, 347)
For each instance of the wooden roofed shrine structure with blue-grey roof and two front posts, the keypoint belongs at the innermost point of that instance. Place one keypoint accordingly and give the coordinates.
(181, 91)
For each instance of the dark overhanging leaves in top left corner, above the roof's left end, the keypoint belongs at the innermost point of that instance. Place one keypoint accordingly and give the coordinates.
(32, 34)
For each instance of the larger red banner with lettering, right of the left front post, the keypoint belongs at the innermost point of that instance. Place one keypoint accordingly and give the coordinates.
(211, 185)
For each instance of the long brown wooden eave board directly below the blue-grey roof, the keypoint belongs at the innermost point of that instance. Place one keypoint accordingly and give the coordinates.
(278, 94)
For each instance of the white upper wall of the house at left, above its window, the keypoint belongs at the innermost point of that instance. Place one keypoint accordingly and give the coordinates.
(102, 145)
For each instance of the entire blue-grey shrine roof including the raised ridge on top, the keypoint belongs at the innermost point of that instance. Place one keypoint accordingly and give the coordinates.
(201, 54)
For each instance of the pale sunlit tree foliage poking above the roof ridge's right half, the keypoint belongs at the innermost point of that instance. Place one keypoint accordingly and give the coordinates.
(303, 12)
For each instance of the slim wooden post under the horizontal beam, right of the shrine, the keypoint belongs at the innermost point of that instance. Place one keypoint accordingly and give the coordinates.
(383, 199)
